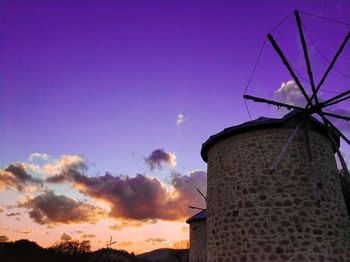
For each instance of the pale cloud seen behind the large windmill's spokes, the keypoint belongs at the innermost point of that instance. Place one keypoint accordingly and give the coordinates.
(290, 93)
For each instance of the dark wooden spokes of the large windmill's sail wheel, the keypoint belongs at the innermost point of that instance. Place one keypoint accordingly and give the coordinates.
(313, 106)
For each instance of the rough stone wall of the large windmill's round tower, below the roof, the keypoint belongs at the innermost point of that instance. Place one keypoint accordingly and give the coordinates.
(292, 215)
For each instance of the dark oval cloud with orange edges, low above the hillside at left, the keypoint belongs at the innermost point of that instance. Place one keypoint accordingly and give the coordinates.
(49, 208)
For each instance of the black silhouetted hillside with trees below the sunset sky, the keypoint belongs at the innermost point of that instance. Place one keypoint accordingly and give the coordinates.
(26, 251)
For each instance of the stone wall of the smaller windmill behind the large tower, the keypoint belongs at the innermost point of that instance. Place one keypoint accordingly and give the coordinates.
(198, 241)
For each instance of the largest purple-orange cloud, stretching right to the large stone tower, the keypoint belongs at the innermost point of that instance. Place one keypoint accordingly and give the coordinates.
(140, 197)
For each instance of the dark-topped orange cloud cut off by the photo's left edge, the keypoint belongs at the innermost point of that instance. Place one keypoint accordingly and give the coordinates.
(14, 176)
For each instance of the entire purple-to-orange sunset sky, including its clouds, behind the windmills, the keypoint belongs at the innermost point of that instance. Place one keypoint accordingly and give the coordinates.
(104, 106)
